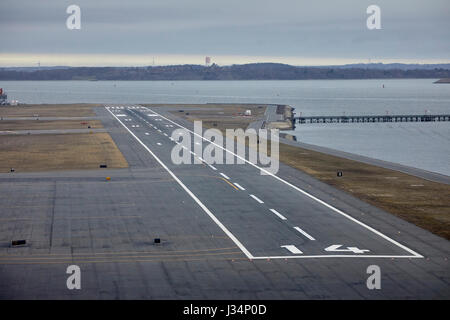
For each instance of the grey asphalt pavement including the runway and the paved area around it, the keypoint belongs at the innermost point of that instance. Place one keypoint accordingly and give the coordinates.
(227, 232)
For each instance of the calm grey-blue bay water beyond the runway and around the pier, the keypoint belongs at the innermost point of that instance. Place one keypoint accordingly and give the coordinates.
(421, 145)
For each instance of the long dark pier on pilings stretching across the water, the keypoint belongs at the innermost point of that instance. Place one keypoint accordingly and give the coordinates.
(373, 119)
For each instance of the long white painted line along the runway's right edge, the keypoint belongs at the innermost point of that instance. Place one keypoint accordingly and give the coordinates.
(414, 254)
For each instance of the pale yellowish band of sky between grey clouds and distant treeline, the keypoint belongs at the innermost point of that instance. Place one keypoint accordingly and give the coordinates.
(17, 60)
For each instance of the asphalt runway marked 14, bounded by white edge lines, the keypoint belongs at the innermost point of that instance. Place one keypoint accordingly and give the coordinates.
(267, 217)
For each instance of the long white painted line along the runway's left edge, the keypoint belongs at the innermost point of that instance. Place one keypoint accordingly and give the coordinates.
(189, 192)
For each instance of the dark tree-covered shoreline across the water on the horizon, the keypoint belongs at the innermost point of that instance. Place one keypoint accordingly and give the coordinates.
(257, 71)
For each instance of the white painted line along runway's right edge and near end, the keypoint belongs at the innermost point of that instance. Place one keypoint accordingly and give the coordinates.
(414, 254)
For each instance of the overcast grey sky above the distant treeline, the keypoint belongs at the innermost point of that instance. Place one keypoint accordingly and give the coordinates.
(233, 31)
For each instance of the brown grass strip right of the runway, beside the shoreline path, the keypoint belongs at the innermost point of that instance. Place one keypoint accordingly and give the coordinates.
(419, 201)
